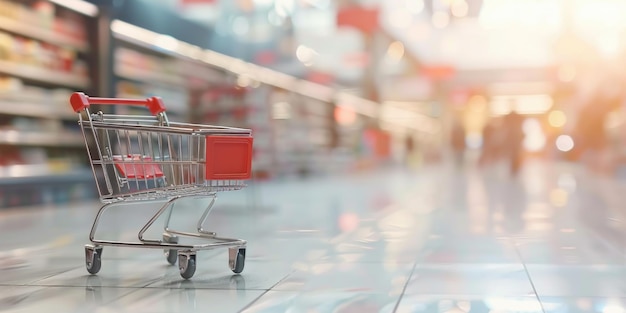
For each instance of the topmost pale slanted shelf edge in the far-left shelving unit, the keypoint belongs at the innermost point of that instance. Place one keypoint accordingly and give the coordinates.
(36, 32)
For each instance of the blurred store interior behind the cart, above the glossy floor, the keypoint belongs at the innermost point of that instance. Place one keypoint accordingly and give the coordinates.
(331, 89)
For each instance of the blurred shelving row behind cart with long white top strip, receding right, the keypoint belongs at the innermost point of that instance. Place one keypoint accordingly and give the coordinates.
(293, 120)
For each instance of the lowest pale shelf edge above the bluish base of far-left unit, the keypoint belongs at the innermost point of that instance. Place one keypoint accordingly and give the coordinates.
(41, 174)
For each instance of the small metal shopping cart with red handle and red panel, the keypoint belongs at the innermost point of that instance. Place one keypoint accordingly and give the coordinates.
(149, 159)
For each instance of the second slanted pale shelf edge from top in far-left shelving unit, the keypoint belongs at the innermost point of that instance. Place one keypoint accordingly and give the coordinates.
(43, 75)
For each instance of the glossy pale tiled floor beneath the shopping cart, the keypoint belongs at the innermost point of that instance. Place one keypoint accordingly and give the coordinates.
(430, 240)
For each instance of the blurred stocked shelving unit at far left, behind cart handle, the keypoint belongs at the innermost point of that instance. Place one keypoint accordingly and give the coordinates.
(45, 55)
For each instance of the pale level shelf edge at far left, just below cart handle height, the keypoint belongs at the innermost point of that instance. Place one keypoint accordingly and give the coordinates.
(54, 139)
